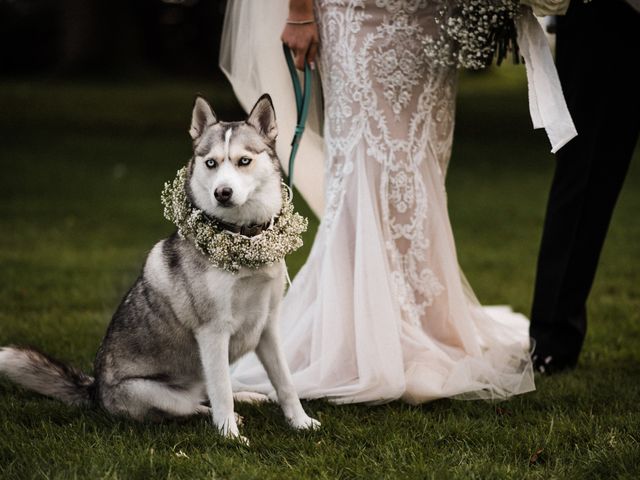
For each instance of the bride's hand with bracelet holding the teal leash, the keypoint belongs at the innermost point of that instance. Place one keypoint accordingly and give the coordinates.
(301, 37)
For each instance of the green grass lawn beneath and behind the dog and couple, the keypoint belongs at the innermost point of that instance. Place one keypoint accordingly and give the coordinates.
(82, 169)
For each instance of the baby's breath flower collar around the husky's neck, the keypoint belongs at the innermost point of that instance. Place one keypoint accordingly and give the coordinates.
(228, 249)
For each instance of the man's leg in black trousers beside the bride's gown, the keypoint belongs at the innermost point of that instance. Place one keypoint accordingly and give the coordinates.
(600, 83)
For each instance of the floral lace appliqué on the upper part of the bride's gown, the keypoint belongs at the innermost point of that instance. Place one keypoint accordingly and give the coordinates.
(366, 77)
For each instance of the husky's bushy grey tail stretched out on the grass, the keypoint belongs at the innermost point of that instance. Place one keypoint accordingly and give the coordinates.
(37, 371)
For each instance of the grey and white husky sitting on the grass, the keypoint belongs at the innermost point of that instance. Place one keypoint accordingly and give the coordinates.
(169, 345)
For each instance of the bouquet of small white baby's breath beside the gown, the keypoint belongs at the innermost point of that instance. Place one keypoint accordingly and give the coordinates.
(472, 33)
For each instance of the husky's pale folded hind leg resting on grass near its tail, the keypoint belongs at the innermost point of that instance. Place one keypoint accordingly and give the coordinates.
(141, 397)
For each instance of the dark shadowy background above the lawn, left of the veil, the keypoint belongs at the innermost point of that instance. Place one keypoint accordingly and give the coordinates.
(110, 37)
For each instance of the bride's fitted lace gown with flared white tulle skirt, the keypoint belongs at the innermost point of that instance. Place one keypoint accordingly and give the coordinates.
(380, 311)
